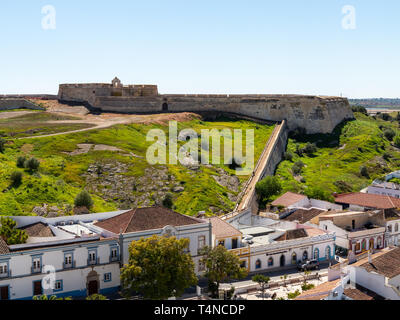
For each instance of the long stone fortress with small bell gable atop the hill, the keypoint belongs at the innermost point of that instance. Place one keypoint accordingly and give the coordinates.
(317, 114)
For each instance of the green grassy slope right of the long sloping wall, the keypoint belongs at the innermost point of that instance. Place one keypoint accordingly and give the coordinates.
(335, 167)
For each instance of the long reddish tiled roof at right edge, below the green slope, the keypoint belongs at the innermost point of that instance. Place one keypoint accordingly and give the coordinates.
(368, 200)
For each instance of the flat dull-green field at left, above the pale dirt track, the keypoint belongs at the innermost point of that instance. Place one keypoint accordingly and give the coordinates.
(35, 123)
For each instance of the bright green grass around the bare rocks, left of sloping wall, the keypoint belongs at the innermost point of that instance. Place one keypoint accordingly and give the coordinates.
(61, 178)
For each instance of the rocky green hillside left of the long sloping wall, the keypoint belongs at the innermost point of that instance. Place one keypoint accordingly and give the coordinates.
(116, 179)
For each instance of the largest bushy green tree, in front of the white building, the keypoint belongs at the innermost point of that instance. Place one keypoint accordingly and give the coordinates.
(158, 268)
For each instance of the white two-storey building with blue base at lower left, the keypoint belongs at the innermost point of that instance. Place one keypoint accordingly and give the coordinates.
(66, 250)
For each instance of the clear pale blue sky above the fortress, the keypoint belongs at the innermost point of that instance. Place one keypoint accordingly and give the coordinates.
(218, 46)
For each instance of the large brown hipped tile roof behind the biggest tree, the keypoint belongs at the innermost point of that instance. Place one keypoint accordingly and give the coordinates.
(142, 219)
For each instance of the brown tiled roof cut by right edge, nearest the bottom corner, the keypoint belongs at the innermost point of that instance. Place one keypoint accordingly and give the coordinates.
(386, 263)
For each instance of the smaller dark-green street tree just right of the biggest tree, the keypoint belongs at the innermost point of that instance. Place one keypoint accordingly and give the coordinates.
(221, 265)
